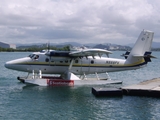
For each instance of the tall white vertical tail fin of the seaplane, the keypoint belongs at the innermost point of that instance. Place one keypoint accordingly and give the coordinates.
(141, 47)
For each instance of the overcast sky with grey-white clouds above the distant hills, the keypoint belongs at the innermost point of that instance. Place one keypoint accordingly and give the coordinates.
(83, 21)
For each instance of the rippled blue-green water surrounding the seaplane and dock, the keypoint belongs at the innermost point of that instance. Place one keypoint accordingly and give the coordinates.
(21, 102)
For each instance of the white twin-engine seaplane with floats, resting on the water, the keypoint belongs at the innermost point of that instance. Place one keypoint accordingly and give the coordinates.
(69, 68)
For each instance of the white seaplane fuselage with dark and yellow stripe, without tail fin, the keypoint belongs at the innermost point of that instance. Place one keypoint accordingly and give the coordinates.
(59, 65)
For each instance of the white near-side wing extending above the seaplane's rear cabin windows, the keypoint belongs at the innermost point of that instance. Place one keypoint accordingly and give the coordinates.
(90, 52)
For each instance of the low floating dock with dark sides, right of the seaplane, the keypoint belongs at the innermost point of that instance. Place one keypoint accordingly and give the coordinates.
(150, 88)
